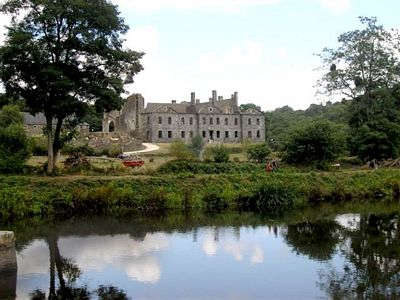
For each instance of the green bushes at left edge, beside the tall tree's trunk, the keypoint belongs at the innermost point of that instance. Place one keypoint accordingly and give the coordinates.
(14, 143)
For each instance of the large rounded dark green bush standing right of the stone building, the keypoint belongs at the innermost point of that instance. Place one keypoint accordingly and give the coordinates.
(317, 142)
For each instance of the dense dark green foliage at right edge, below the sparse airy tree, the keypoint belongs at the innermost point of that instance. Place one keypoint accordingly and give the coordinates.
(375, 125)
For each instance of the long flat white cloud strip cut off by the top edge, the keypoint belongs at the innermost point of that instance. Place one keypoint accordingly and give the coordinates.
(220, 5)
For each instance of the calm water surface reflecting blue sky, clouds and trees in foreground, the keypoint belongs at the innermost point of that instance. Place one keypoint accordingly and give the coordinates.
(208, 257)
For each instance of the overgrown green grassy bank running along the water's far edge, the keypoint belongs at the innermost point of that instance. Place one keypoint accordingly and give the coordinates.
(24, 196)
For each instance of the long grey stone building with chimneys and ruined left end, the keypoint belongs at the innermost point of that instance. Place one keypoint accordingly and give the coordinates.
(218, 120)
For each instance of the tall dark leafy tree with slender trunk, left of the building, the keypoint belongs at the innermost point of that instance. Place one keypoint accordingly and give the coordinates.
(62, 56)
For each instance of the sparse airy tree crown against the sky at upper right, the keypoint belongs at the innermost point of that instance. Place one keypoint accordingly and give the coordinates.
(366, 59)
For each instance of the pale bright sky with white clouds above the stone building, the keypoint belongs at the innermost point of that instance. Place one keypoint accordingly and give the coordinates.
(263, 49)
